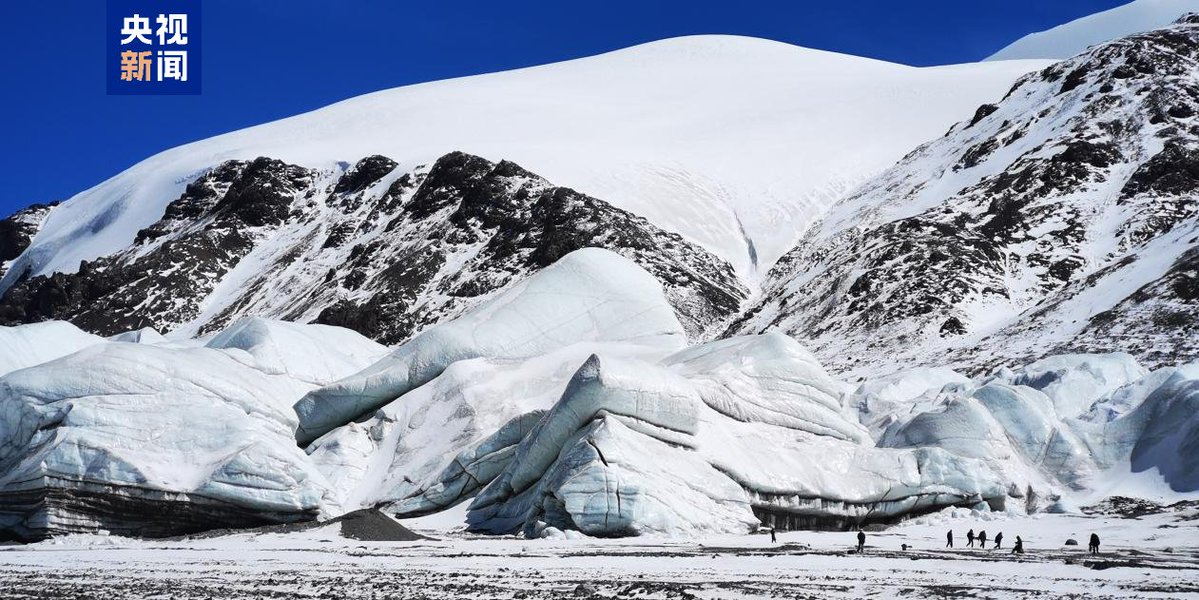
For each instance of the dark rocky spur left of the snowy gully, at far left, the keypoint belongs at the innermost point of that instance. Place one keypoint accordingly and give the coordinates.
(177, 262)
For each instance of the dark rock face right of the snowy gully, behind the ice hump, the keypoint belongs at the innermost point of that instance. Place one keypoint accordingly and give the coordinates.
(499, 224)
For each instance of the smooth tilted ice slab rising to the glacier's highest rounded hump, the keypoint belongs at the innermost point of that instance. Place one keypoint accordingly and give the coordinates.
(588, 296)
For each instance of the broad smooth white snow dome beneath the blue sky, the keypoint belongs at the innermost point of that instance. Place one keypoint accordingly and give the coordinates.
(737, 143)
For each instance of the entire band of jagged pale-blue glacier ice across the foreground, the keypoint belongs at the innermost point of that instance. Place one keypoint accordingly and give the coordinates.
(571, 403)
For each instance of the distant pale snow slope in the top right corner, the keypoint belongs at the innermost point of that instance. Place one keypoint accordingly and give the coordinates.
(1070, 39)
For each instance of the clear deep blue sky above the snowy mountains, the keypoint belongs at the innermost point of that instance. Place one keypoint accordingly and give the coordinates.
(268, 59)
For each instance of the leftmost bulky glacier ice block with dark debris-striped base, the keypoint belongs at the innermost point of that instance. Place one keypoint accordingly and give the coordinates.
(146, 441)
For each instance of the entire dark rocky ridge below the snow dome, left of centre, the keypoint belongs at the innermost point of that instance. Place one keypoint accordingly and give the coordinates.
(384, 254)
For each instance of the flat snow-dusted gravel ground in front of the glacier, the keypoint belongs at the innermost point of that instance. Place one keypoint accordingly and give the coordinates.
(1150, 557)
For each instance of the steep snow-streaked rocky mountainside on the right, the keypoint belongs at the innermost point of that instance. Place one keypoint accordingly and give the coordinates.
(1065, 218)
